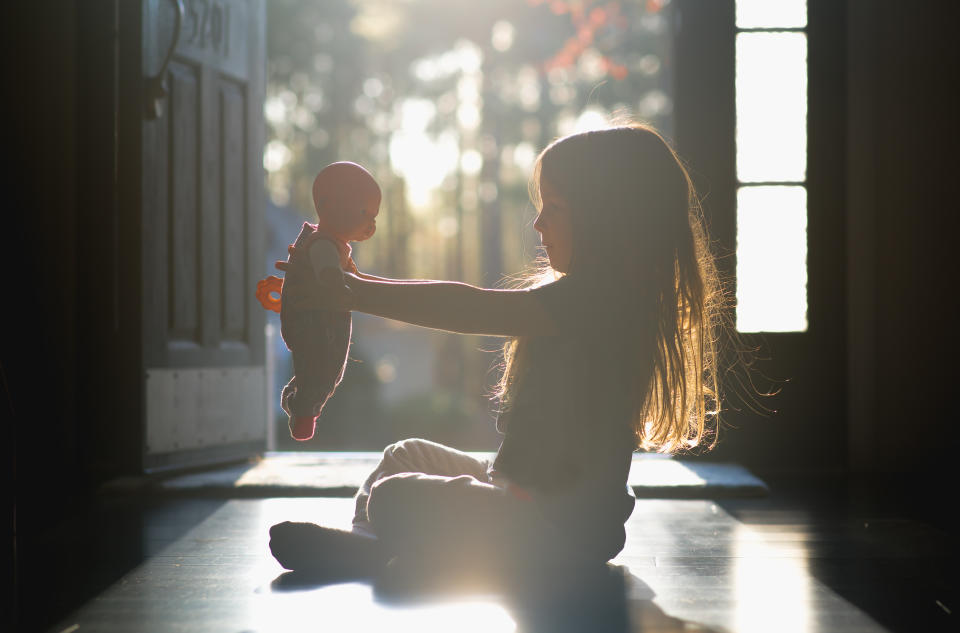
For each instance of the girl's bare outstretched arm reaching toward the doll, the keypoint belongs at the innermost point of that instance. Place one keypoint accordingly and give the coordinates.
(451, 306)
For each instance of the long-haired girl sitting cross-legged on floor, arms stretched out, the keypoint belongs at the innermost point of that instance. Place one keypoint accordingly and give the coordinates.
(611, 348)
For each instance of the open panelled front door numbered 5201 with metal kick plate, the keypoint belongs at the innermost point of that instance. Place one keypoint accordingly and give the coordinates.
(202, 204)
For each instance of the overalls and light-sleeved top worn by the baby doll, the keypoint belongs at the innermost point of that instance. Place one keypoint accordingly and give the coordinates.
(318, 340)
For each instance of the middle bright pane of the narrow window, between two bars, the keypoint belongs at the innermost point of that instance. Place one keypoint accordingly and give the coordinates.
(771, 107)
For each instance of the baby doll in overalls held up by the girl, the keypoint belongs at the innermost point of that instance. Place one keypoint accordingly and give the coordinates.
(347, 200)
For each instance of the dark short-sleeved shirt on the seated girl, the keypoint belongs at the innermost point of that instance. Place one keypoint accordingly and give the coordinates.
(567, 434)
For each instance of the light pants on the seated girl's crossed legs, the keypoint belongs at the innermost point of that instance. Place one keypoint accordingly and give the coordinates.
(438, 505)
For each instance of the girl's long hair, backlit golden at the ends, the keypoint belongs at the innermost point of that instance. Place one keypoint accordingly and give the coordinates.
(638, 231)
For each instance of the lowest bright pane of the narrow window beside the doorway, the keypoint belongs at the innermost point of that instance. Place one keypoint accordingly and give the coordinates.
(772, 259)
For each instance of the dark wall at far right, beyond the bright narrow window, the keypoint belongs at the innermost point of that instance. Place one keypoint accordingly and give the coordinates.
(901, 218)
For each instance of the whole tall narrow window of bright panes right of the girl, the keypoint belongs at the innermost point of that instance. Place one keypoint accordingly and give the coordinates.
(771, 136)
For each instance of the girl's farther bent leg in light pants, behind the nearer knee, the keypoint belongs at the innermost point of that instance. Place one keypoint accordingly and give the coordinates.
(416, 456)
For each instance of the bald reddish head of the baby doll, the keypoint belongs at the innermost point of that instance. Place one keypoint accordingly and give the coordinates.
(347, 200)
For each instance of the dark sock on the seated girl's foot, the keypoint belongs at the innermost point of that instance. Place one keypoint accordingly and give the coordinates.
(314, 549)
